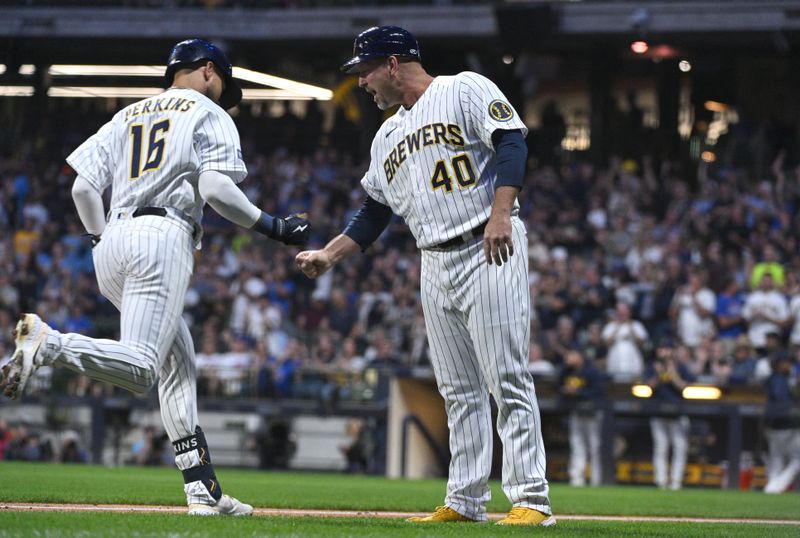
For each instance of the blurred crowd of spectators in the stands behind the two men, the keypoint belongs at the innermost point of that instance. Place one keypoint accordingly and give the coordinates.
(623, 257)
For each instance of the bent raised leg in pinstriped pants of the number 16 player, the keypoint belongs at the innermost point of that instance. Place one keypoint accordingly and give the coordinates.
(144, 270)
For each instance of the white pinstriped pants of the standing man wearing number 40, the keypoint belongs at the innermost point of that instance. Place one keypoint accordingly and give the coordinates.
(478, 321)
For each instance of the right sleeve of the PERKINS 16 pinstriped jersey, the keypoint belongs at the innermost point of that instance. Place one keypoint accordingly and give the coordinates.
(218, 147)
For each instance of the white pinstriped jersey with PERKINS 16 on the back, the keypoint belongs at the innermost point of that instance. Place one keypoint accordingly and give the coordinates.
(154, 150)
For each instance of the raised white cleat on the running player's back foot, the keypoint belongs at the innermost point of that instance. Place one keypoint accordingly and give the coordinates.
(29, 335)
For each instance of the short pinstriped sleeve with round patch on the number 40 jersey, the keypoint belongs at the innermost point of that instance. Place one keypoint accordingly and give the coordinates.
(486, 108)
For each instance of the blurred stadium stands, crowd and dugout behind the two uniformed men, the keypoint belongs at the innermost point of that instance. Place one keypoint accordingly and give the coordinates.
(661, 141)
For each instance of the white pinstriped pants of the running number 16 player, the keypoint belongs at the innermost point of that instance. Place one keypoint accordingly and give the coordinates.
(143, 267)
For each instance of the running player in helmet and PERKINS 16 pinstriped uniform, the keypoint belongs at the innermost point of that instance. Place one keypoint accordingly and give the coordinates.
(164, 158)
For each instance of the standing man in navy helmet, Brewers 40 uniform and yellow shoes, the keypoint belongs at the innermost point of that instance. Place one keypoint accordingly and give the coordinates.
(450, 162)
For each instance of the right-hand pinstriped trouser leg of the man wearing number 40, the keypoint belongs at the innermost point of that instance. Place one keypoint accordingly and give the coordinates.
(499, 324)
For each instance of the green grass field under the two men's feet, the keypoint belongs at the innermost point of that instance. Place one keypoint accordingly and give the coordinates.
(21, 482)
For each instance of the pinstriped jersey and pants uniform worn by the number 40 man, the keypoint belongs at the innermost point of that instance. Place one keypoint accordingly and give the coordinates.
(435, 165)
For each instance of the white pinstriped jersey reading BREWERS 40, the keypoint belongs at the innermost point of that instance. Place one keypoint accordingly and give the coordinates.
(434, 164)
